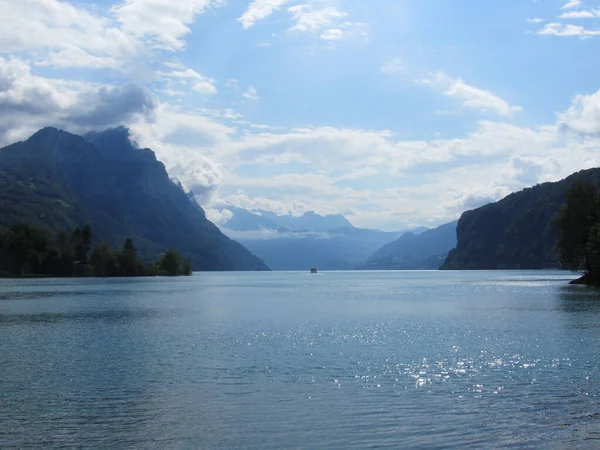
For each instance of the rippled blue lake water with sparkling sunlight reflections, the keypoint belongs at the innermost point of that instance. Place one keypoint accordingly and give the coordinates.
(293, 360)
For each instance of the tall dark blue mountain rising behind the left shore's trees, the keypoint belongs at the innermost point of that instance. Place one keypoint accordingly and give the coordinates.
(61, 180)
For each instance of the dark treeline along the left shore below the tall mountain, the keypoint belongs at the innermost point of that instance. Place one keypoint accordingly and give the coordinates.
(30, 251)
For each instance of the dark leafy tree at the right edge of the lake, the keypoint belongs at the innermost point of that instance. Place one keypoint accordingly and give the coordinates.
(574, 224)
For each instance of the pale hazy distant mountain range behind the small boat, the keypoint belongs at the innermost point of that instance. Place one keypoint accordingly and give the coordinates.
(287, 242)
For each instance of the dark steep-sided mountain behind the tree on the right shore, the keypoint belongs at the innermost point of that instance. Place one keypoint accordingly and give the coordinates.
(516, 232)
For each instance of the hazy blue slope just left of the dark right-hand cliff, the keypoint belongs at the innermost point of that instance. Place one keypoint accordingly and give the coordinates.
(413, 252)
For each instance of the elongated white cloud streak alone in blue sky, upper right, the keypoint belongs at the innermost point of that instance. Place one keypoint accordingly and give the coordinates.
(470, 96)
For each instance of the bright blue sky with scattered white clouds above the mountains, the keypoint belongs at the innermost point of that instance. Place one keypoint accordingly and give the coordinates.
(394, 113)
